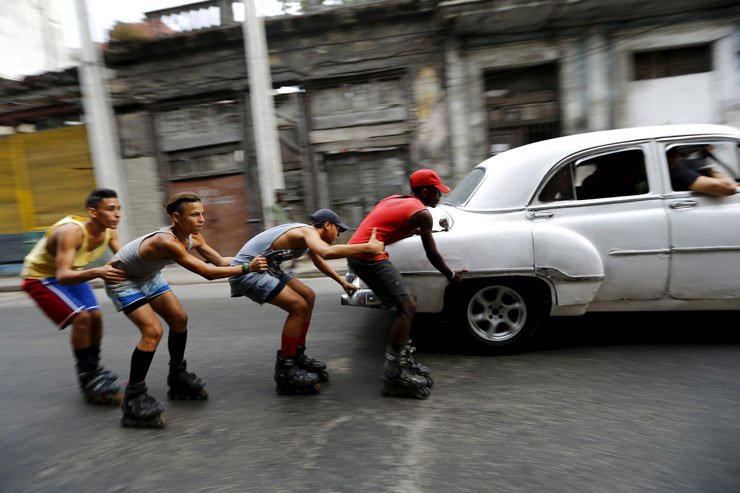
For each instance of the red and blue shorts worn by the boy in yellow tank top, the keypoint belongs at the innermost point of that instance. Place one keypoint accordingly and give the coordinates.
(61, 303)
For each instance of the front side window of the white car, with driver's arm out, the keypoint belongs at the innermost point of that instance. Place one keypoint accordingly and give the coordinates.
(687, 161)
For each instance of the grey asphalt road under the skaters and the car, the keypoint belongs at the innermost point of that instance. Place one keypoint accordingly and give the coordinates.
(632, 402)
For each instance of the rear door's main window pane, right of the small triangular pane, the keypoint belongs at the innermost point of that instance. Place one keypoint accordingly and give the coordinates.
(616, 174)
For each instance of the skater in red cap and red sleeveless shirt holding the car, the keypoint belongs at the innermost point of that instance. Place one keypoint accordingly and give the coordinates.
(395, 218)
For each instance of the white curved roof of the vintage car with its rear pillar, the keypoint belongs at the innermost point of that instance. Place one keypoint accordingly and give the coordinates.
(512, 176)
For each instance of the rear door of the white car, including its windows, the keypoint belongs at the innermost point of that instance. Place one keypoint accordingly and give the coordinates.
(610, 198)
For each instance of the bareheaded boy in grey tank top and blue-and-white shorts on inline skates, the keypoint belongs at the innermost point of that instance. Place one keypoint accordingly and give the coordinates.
(146, 294)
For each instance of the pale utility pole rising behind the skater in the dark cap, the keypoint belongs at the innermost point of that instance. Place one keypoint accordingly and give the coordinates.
(266, 139)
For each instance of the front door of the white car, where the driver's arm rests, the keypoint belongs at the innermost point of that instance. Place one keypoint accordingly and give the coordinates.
(705, 229)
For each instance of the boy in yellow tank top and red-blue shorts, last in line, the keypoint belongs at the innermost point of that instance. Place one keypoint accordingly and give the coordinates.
(54, 278)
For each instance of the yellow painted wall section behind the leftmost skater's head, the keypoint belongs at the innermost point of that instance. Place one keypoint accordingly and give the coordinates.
(47, 175)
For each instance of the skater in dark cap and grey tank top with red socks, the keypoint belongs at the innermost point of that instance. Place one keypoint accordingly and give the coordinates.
(295, 373)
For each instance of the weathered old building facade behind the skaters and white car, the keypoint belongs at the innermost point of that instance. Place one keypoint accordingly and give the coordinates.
(385, 88)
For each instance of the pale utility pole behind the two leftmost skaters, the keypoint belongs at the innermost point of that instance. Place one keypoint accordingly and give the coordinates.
(100, 122)
